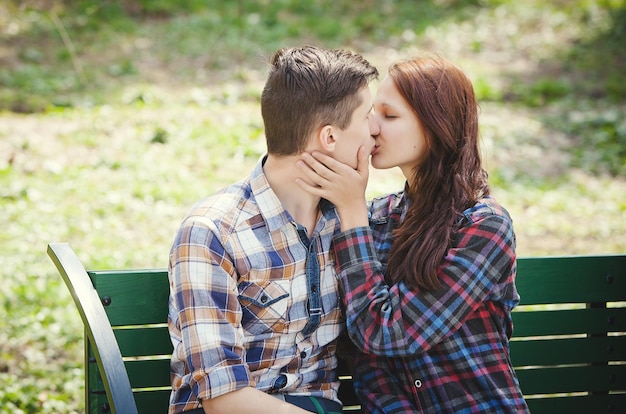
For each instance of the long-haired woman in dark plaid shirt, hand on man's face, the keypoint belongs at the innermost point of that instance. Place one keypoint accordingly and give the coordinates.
(429, 280)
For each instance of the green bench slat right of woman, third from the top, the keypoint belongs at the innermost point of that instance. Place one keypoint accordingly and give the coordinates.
(568, 351)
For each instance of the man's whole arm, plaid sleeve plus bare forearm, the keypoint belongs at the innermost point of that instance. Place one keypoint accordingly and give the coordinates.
(202, 294)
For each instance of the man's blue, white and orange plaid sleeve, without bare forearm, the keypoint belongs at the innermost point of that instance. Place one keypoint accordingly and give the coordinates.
(205, 309)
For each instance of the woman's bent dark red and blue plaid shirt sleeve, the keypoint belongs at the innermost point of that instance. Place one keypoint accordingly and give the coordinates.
(397, 320)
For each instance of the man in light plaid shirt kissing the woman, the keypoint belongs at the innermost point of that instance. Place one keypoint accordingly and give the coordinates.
(254, 304)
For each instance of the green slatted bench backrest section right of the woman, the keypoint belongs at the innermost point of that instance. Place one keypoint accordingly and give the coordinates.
(569, 335)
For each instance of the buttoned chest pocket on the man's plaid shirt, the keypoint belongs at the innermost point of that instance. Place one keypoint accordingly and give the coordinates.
(264, 307)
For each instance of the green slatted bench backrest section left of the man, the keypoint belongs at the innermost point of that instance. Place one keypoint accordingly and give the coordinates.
(136, 305)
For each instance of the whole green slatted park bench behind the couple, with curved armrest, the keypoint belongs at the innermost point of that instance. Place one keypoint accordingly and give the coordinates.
(568, 346)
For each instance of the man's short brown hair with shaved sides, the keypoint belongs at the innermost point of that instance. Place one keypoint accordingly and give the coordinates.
(309, 87)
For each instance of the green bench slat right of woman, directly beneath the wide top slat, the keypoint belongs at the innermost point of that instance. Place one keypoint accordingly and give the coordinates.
(567, 322)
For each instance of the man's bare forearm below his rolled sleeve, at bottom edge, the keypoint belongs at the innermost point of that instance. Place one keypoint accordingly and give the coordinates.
(249, 400)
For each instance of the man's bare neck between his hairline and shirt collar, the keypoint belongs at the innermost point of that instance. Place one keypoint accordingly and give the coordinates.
(281, 173)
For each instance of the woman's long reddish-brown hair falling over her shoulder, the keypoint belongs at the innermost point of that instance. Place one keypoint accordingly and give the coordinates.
(448, 179)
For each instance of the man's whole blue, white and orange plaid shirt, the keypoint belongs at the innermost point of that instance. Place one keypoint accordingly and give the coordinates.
(246, 307)
